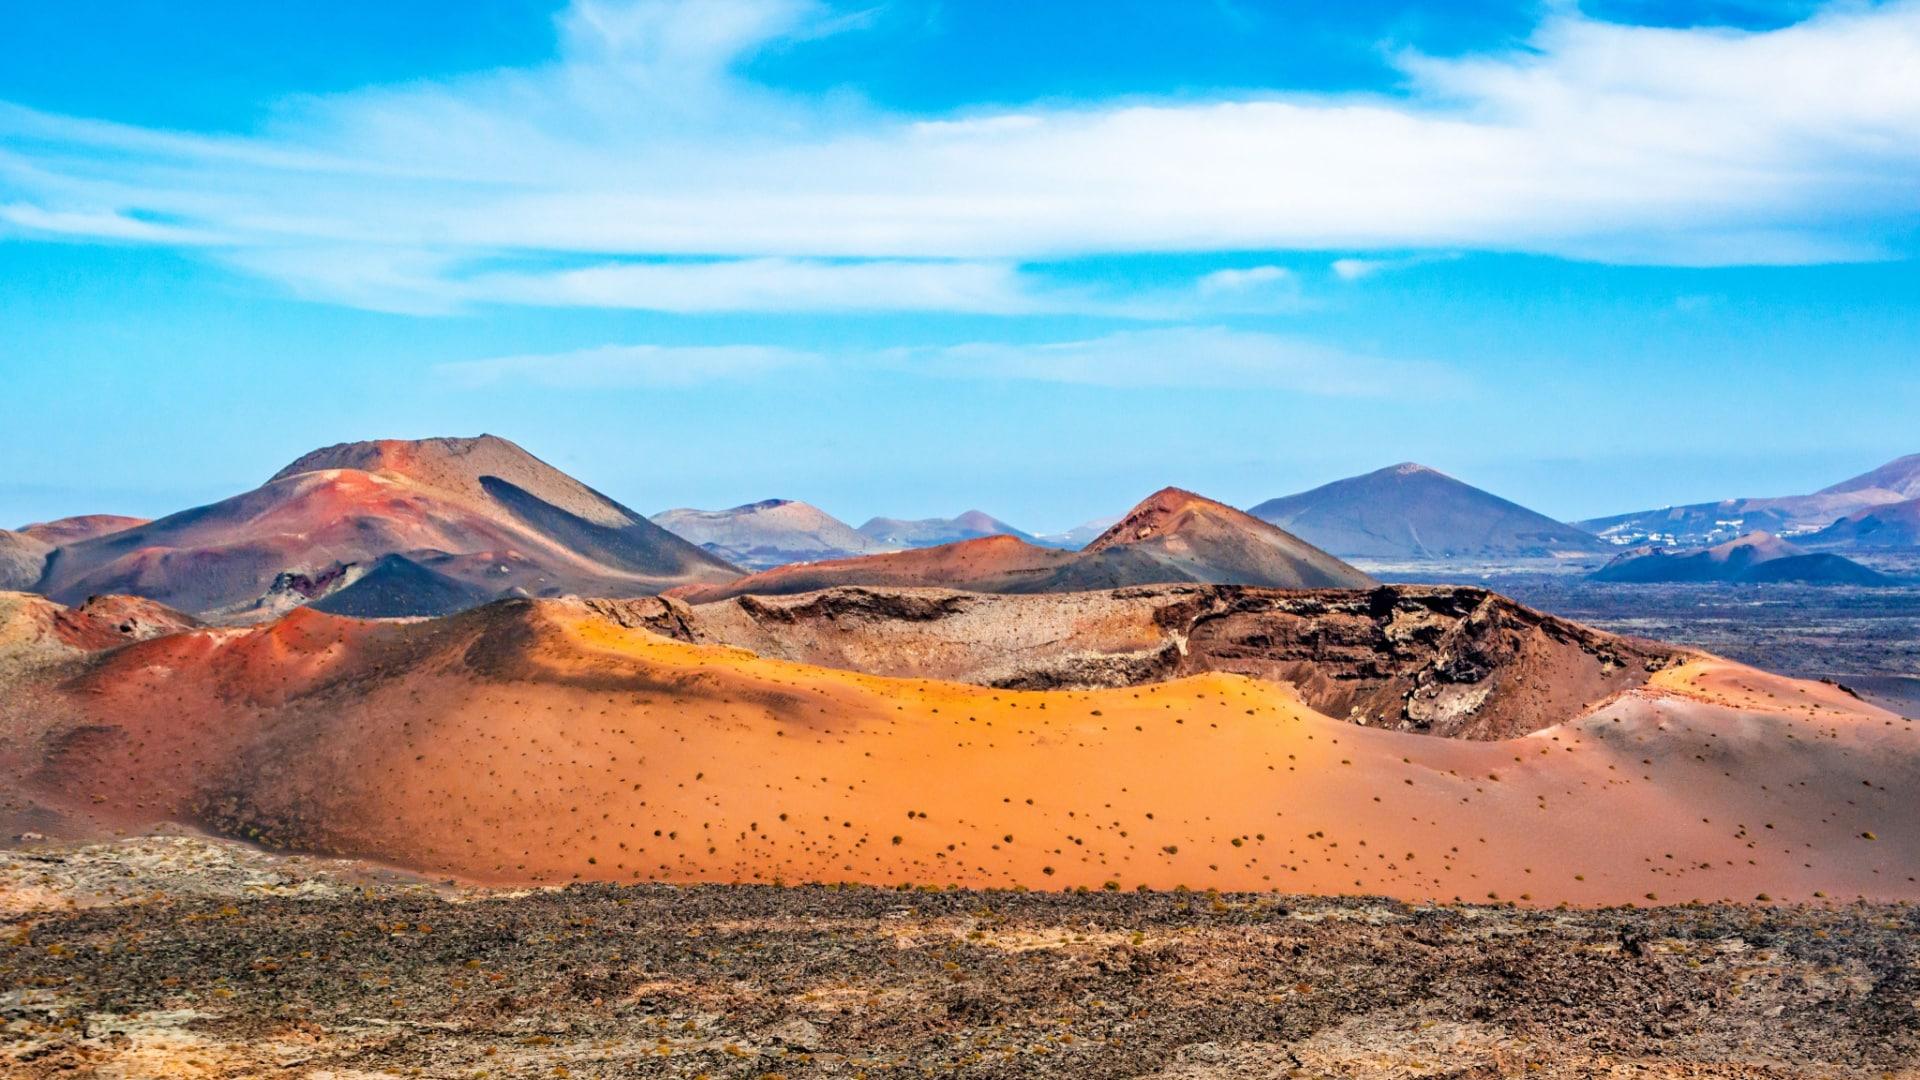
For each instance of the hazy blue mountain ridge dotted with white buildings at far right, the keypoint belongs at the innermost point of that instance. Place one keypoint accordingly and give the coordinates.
(1794, 516)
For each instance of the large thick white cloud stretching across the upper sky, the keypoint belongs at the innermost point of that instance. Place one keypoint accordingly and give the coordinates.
(640, 141)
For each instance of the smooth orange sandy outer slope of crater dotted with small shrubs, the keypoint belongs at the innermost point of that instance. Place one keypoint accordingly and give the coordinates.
(535, 743)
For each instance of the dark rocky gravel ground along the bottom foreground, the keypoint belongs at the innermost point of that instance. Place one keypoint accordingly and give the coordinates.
(181, 958)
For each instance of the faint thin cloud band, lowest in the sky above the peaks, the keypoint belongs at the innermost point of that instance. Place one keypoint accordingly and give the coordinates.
(1163, 358)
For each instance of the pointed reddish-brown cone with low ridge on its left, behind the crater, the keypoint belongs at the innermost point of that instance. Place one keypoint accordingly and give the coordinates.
(1172, 537)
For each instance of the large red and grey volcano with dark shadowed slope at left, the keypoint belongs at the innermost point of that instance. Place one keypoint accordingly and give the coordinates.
(506, 520)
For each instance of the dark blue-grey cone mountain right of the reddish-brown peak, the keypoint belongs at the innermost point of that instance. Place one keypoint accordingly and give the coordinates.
(1412, 512)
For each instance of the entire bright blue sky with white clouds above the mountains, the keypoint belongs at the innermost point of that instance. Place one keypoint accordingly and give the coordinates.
(911, 258)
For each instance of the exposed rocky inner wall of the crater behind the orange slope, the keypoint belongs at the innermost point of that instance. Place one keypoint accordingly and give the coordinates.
(1443, 660)
